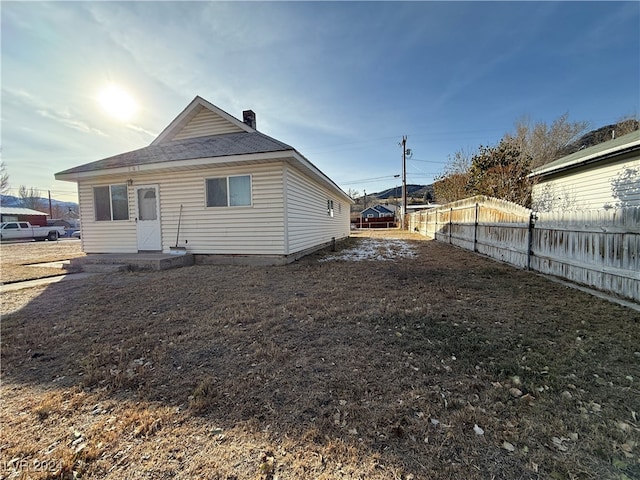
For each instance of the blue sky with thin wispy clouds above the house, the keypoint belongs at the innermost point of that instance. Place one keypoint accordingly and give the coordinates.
(341, 82)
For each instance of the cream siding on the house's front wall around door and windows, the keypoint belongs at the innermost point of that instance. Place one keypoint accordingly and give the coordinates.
(257, 229)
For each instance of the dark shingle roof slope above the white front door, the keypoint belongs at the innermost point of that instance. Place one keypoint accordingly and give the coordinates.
(229, 144)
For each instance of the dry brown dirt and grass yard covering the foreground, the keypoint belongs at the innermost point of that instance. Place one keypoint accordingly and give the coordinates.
(392, 358)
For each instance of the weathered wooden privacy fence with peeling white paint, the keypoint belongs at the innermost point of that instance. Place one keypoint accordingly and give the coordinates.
(599, 248)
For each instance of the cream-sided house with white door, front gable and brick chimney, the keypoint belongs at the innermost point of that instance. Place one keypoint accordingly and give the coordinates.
(234, 191)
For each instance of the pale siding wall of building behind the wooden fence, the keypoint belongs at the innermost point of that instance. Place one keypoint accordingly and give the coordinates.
(614, 185)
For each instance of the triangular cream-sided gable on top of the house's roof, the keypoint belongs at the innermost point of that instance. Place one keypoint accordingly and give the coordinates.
(199, 119)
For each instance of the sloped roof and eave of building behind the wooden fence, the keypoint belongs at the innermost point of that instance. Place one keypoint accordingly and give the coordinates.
(603, 151)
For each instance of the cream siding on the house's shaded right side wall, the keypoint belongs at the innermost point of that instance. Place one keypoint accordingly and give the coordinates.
(308, 224)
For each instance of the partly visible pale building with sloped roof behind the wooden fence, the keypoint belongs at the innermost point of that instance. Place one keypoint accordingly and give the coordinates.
(606, 175)
